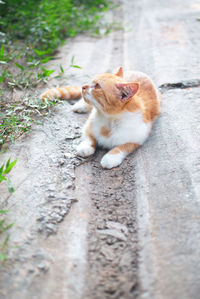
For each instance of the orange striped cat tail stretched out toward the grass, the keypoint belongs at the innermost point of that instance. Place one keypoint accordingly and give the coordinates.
(63, 93)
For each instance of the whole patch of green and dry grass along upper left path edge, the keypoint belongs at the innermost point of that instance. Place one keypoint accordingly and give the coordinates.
(30, 32)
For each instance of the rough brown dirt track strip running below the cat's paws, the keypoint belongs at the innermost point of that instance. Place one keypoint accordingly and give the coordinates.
(112, 235)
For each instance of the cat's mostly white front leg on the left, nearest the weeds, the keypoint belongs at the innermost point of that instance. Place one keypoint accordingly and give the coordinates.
(88, 146)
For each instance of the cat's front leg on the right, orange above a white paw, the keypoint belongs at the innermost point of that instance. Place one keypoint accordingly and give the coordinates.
(116, 155)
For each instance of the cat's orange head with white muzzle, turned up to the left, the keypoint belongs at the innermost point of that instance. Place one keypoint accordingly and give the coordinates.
(109, 93)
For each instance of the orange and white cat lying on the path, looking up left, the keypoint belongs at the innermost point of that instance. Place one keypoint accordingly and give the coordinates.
(123, 107)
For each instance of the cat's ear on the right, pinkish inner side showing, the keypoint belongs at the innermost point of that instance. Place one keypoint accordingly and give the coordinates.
(127, 90)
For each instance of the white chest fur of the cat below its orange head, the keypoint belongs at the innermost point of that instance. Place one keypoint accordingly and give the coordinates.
(125, 128)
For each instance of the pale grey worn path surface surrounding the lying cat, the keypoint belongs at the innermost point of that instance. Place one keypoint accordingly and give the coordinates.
(82, 232)
